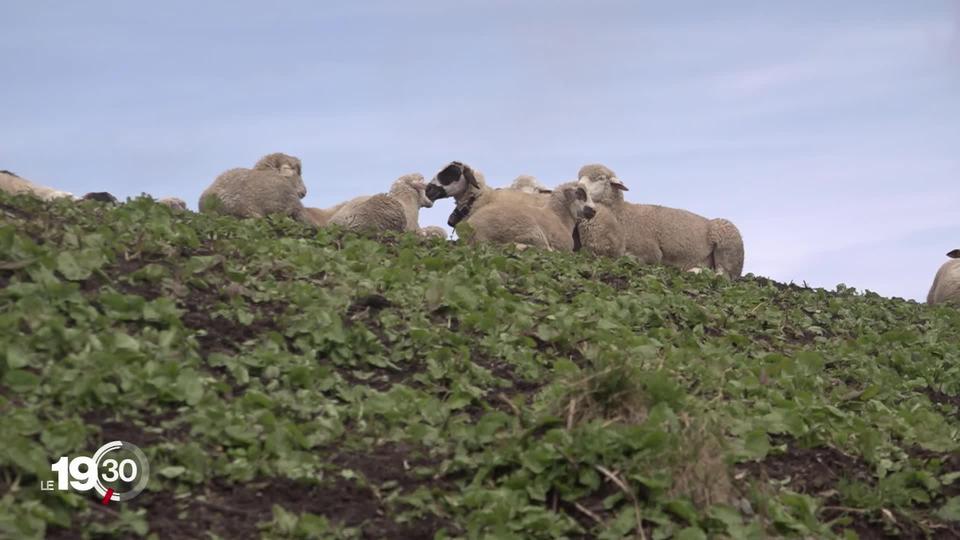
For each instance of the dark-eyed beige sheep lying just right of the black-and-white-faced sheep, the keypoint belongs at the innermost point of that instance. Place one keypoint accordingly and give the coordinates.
(549, 226)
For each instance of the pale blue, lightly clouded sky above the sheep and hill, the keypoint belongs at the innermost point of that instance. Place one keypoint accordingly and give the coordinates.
(828, 132)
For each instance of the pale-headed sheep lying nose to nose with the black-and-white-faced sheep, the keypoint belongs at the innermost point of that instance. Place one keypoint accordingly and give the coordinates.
(397, 210)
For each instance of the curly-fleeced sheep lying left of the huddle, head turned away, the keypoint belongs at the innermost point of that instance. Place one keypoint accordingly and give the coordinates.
(273, 186)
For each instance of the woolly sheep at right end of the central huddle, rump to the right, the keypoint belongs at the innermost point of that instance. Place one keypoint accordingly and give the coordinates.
(658, 234)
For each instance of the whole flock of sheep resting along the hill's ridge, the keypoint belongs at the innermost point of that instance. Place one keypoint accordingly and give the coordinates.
(587, 214)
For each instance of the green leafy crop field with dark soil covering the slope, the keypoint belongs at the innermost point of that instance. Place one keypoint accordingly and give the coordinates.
(287, 383)
